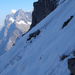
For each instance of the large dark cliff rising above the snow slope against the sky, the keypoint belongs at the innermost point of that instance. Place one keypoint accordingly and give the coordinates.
(41, 9)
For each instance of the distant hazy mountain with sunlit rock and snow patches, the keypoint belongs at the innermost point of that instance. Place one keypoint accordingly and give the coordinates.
(15, 25)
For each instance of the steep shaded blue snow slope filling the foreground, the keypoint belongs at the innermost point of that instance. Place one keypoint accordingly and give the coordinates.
(42, 56)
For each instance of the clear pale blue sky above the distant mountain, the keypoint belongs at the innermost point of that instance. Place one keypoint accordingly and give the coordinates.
(7, 5)
